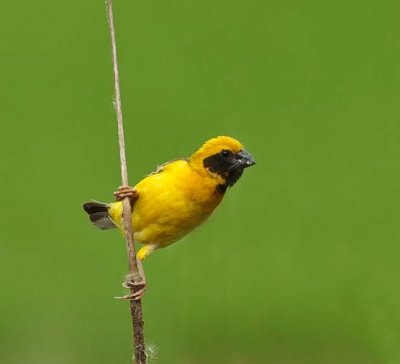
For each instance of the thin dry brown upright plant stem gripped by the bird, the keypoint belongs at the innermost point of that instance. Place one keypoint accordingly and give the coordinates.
(135, 268)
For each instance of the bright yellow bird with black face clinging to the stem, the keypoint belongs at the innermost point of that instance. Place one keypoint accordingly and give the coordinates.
(178, 196)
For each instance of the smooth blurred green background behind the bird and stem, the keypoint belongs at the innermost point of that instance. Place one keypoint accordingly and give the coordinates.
(300, 264)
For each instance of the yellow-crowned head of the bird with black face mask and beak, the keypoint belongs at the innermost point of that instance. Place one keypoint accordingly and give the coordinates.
(222, 158)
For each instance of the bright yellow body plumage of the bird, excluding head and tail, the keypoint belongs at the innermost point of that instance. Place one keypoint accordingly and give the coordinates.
(170, 205)
